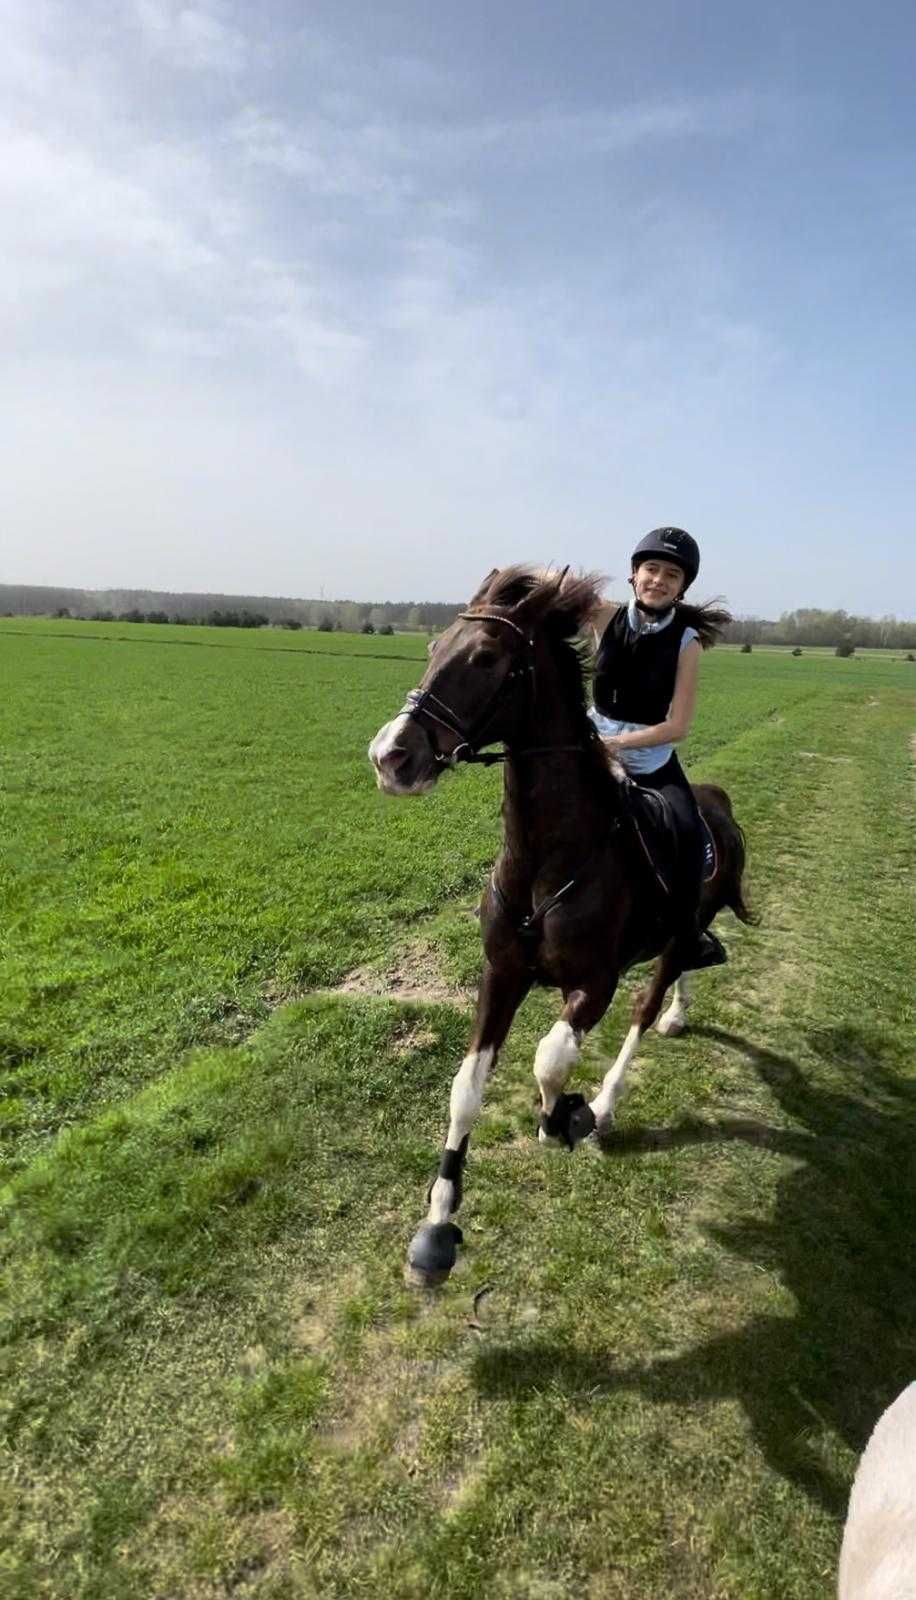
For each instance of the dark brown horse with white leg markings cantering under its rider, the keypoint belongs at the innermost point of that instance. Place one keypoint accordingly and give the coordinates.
(571, 902)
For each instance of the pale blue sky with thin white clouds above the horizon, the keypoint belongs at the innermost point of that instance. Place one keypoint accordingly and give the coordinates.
(368, 298)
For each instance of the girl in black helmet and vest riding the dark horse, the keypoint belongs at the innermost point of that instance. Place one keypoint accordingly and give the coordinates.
(645, 700)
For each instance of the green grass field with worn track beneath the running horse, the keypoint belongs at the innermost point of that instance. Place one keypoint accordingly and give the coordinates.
(235, 990)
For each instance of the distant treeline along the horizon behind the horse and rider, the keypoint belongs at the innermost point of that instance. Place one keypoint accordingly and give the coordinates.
(353, 617)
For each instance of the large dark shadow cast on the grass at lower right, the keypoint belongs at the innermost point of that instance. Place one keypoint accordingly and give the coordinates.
(840, 1241)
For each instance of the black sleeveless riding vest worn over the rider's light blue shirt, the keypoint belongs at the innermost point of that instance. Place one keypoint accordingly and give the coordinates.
(635, 673)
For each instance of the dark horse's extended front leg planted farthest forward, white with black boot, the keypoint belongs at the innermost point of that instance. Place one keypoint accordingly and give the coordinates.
(435, 1247)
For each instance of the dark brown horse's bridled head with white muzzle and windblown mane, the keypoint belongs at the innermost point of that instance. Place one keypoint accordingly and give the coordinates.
(480, 686)
